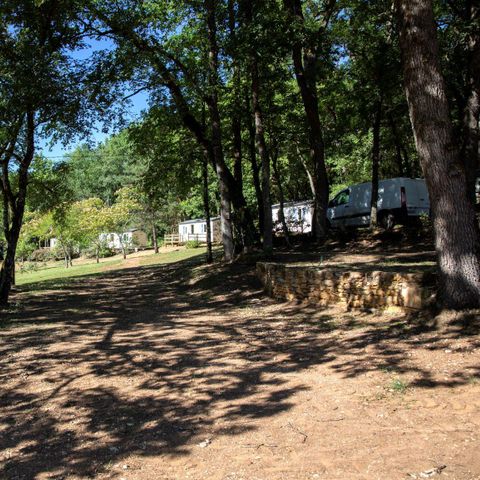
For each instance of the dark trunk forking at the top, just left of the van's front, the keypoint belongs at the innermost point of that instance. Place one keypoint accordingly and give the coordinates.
(304, 62)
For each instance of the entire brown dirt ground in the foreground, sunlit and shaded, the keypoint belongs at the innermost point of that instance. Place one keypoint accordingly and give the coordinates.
(187, 372)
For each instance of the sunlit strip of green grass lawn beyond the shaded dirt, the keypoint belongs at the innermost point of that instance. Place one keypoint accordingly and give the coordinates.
(58, 271)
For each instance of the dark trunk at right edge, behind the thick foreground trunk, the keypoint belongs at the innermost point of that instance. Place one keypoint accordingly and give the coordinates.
(472, 110)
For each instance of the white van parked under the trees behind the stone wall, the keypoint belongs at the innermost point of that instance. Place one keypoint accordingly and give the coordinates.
(399, 199)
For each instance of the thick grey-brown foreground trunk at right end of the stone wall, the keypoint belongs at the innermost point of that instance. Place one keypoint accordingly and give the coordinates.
(456, 230)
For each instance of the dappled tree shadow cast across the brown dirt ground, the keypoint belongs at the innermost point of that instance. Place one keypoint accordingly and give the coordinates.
(150, 360)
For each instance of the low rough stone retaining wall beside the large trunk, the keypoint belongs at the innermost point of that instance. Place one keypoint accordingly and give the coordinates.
(354, 289)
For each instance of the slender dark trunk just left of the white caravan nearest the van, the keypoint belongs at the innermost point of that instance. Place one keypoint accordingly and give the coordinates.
(267, 232)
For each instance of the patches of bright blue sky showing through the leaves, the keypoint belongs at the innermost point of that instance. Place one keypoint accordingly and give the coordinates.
(138, 103)
